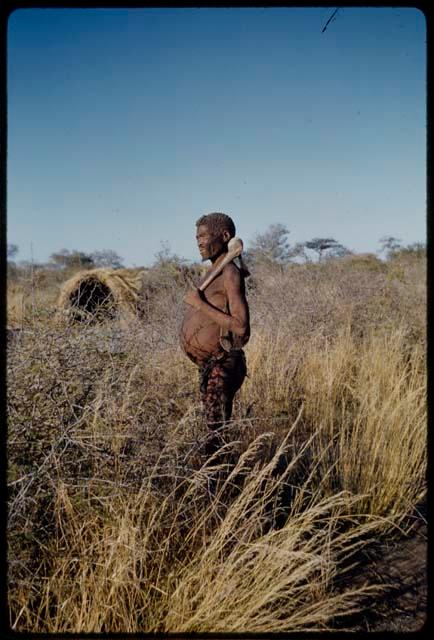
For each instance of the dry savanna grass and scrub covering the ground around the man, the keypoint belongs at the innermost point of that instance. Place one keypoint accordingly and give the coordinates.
(116, 521)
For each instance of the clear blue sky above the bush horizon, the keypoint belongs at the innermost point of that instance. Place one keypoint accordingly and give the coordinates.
(124, 126)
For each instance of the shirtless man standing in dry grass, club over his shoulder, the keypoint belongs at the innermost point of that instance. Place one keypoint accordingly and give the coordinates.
(216, 327)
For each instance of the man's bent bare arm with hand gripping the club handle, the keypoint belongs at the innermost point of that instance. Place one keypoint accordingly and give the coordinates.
(237, 321)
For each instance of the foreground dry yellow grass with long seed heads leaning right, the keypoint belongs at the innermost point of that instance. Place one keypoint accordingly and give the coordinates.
(170, 564)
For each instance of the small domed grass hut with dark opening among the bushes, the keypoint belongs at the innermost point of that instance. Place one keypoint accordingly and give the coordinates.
(101, 294)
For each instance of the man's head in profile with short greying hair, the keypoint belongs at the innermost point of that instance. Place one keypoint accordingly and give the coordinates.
(214, 230)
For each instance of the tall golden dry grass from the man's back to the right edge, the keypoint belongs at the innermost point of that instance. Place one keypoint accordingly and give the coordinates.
(366, 402)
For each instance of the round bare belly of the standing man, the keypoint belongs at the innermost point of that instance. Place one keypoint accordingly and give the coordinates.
(200, 337)
